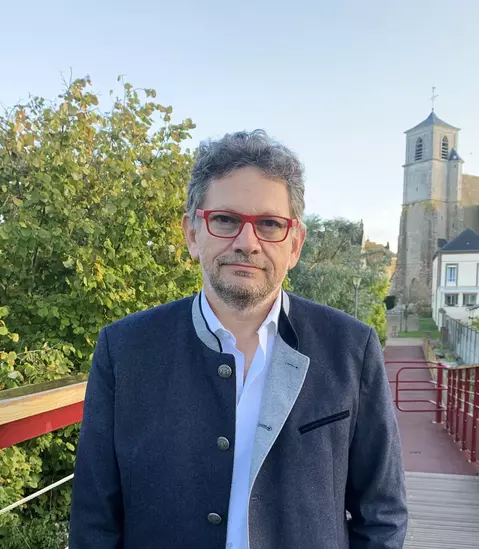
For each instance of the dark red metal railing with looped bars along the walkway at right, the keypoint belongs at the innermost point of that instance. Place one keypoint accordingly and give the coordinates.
(455, 402)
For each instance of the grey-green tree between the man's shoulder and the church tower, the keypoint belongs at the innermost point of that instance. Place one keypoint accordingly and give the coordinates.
(331, 256)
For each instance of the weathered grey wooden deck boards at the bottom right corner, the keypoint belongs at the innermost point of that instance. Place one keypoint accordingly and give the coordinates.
(443, 511)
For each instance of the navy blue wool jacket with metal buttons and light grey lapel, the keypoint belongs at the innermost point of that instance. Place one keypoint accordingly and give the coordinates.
(150, 473)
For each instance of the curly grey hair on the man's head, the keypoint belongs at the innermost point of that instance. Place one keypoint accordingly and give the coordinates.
(217, 159)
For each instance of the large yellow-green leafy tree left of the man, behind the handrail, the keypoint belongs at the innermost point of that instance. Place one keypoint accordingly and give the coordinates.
(90, 211)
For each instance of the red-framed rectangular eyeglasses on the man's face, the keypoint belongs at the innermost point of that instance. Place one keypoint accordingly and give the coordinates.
(228, 224)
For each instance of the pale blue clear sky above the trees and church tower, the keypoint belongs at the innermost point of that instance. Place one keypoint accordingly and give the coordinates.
(337, 82)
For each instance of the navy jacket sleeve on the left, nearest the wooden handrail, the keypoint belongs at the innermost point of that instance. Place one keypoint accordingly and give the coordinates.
(96, 515)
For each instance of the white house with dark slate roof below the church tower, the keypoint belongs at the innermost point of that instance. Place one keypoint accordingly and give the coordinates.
(455, 277)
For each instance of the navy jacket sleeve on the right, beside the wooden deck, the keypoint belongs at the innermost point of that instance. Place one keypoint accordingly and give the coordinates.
(375, 492)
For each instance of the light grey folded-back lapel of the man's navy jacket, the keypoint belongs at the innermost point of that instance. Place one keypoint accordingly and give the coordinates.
(286, 376)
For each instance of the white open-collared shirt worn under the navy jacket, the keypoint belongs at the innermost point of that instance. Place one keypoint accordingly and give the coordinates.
(248, 403)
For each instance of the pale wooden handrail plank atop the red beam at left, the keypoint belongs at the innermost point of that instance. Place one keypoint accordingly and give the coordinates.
(28, 401)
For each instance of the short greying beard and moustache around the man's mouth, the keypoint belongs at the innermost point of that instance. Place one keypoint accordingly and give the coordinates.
(240, 297)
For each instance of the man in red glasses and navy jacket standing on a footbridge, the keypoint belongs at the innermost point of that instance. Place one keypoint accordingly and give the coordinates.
(243, 417)
